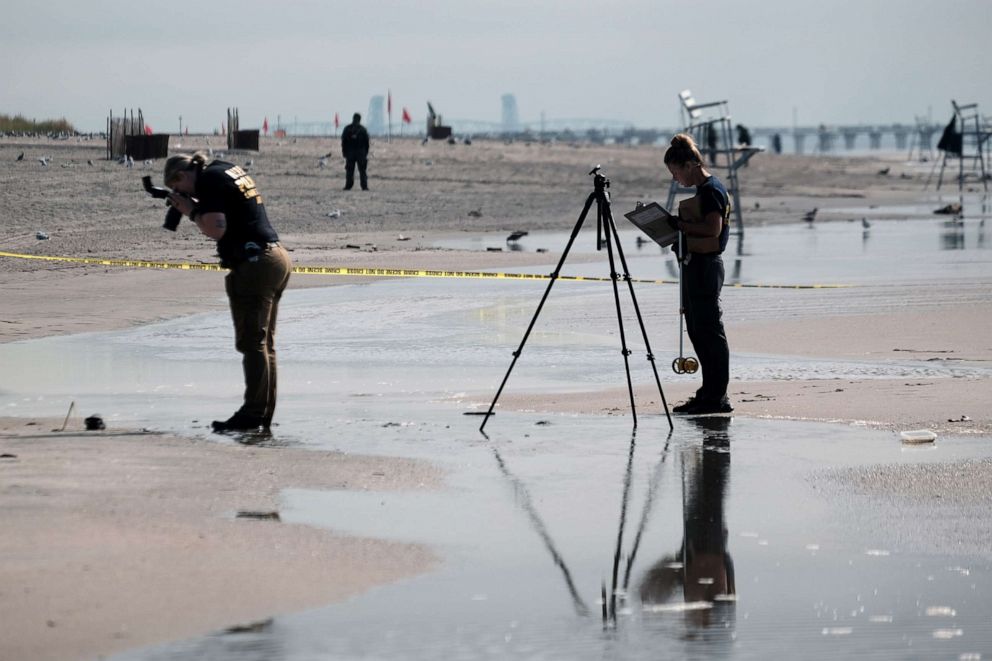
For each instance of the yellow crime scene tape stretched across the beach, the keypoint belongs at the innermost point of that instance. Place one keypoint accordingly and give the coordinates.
(354, 271)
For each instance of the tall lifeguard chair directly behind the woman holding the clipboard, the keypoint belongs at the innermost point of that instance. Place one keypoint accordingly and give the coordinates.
(710, 126)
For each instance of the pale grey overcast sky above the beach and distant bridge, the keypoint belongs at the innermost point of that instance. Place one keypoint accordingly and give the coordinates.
(829, 61)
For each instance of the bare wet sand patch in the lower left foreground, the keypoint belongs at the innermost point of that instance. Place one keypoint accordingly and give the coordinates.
(118, 539)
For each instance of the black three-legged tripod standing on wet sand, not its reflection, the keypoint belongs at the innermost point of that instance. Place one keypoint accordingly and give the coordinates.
(605, 226)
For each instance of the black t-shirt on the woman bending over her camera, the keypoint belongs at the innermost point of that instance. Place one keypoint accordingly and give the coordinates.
(226, 188)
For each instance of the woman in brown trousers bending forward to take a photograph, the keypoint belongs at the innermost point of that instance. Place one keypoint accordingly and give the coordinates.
(224, 203)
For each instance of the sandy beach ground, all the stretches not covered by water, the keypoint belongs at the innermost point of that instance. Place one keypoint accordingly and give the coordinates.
(164, 527)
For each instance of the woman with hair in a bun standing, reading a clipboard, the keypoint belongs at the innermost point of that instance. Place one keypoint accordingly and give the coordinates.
(703, 221)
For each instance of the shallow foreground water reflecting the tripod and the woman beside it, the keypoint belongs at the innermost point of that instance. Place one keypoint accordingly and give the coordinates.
(729, 537)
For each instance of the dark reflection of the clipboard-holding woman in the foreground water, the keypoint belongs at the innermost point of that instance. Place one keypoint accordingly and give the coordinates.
(702, 568)
